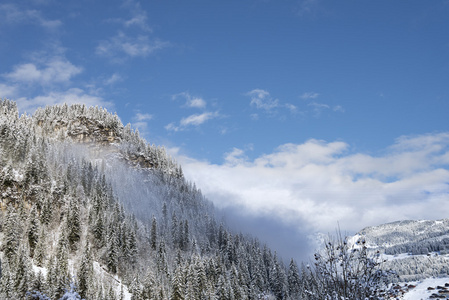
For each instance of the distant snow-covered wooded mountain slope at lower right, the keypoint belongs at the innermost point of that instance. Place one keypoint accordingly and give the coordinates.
(415, 250)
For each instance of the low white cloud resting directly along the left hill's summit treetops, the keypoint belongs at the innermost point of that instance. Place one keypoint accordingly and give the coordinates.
(71, 96)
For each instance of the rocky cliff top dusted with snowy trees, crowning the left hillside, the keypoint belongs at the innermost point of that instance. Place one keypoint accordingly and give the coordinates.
(104, 134)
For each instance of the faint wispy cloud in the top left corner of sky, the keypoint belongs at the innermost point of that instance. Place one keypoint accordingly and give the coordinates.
(12, 14)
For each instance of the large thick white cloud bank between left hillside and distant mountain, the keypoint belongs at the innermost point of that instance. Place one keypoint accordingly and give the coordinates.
(316, 184)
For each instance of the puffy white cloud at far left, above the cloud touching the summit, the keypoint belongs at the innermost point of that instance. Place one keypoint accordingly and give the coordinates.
(55, 70)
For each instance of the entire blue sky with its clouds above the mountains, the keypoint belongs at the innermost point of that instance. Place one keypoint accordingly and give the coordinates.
(322, 105)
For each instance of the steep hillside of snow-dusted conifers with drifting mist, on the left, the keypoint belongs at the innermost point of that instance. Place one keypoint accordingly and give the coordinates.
(87, 205)
